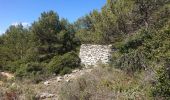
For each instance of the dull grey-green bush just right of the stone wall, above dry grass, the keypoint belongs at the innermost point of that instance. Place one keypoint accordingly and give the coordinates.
(132, 62)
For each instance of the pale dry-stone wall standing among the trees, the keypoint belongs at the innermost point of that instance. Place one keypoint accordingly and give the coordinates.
(91, 55)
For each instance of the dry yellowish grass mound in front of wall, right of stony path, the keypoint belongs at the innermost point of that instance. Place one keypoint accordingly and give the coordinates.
(105, 84)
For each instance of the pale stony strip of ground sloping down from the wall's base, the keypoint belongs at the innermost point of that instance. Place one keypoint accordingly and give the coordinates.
(49, 88)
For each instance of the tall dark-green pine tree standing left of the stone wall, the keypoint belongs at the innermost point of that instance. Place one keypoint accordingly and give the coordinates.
(53, 36)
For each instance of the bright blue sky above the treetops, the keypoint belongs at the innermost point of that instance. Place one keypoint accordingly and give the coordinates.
(27, 11)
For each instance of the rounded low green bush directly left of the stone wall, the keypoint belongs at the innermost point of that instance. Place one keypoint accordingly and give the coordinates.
(63, 64)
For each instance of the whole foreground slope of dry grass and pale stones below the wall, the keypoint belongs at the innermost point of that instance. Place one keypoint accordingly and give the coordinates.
(95, 83)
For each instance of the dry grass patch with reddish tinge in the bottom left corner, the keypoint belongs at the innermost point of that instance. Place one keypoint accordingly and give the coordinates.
(17, 90)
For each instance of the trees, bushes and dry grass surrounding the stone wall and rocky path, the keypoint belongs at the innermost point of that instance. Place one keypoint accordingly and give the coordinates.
(139, 30)
